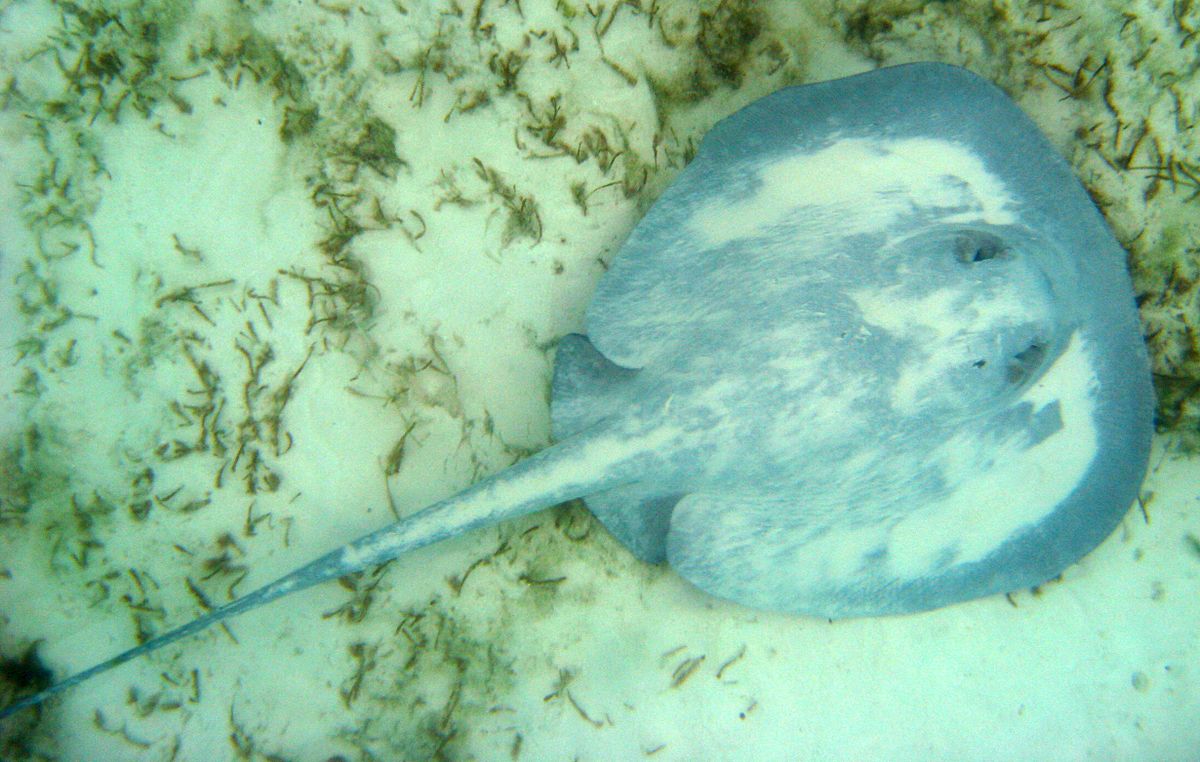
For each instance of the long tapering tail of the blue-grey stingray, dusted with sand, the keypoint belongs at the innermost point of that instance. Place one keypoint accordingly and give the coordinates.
(556, 475)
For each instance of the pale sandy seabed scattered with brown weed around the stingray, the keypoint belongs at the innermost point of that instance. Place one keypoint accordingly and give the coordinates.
(429, 369)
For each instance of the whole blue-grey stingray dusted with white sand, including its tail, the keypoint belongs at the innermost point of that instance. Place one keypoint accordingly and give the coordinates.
(874, 352)
